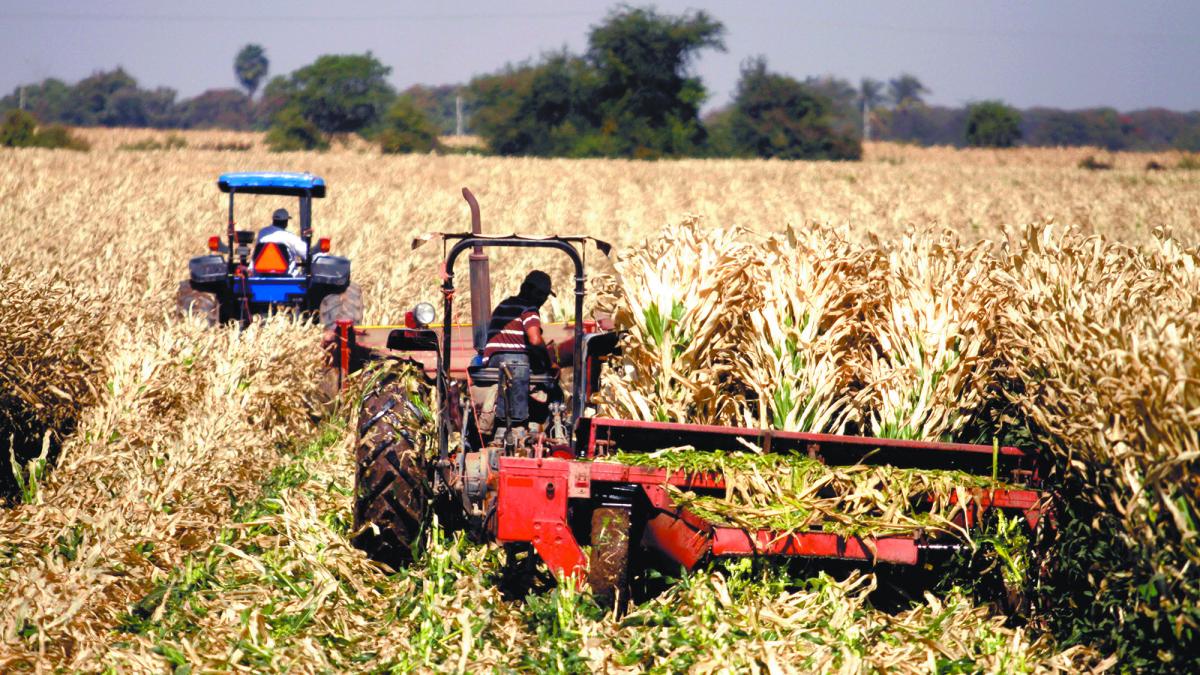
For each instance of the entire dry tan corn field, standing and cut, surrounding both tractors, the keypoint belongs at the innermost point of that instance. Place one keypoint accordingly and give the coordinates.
(179, 498)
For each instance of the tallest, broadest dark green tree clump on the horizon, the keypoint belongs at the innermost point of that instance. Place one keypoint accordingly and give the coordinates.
(631, 95)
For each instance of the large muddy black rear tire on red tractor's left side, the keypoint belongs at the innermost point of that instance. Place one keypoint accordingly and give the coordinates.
(392, 493)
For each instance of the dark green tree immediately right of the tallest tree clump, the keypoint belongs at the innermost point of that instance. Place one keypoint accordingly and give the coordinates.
(776, 116)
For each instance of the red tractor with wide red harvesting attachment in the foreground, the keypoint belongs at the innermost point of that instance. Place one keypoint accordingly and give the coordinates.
(555, 489)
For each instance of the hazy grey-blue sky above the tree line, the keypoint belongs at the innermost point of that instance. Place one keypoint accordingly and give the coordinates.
(1067, 55)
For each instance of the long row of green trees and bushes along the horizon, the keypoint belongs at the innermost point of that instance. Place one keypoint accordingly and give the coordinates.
(631, 94)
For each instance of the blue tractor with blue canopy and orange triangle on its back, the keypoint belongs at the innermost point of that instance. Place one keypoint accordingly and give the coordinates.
(242, 278)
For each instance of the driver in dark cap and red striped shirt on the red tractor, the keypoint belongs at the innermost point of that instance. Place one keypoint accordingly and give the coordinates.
(515, 344)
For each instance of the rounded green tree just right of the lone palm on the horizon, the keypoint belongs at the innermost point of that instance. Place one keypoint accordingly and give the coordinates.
(343, 93)
